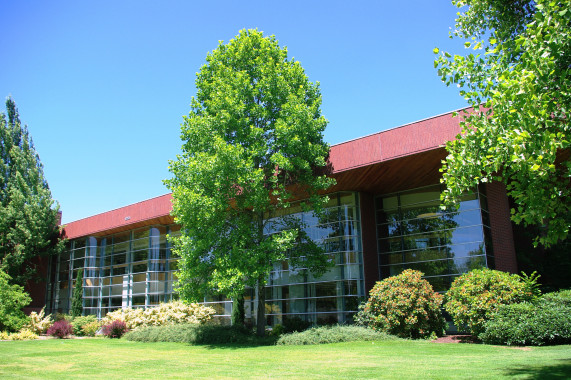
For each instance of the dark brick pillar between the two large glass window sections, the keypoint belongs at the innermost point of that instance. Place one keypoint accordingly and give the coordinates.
(369, 240)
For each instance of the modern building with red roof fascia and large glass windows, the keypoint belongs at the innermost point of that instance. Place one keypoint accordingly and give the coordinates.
(383, 216)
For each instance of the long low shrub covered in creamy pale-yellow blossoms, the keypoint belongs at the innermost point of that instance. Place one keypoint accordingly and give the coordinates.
(164, 314)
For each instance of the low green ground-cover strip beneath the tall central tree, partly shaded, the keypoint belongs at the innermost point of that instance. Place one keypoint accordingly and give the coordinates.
(197, 334)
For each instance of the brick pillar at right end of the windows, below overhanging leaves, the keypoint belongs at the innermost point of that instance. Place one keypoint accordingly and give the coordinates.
(500, 223)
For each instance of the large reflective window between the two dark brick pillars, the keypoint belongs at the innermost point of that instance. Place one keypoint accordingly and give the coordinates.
(415, 233)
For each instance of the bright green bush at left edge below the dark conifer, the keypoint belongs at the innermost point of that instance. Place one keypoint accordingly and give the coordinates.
(12, 299)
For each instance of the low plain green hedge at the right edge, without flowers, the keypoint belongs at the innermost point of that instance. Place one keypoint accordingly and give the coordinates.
(536, 324)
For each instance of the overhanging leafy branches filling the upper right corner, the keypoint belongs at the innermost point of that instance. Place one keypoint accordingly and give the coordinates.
(518, 132)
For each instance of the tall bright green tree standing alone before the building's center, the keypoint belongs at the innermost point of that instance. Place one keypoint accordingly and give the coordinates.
(252, 144)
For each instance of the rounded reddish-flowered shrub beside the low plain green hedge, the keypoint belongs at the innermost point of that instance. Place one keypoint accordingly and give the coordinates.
(477, 295)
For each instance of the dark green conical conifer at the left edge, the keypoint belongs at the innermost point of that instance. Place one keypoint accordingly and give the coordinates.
(28, 216)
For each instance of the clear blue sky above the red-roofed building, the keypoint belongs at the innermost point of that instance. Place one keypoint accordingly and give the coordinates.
(103, 85)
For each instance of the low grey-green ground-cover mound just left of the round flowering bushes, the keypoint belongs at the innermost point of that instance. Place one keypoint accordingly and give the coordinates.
(332, 334)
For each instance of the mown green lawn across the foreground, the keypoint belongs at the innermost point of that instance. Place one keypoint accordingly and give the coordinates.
(102, 358)
